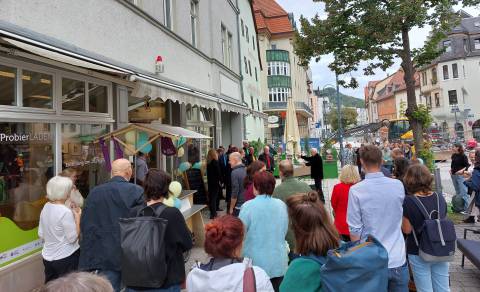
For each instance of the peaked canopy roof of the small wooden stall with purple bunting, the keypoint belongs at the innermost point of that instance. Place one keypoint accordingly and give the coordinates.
(153, 130)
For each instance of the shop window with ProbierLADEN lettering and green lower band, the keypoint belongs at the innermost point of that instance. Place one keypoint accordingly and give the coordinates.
(26, 164)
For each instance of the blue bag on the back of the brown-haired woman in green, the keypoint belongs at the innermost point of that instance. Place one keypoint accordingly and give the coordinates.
(354, 266)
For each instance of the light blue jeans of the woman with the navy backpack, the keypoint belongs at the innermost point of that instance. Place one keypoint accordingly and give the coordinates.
(429, 277)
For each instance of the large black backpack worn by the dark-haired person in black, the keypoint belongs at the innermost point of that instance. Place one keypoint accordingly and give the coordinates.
(143, 248)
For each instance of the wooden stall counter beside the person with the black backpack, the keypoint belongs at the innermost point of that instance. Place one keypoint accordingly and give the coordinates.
(193, 216)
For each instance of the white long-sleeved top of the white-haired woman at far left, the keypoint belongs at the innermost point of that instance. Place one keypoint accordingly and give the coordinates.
(58, 230)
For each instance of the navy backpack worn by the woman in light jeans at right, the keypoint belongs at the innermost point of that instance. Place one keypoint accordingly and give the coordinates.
(438, 237)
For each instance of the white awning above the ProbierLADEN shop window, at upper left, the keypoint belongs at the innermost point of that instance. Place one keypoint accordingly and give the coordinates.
(64, 56)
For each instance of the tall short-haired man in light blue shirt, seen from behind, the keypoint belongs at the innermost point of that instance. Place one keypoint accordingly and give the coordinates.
(375, 208)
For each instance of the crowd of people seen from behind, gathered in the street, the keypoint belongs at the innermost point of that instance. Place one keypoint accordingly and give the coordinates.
(268, 230)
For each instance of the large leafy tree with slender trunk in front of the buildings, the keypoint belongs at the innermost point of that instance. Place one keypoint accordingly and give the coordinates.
(377, 31)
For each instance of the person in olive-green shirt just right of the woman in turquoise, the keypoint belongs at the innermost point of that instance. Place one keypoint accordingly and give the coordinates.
(289, 186)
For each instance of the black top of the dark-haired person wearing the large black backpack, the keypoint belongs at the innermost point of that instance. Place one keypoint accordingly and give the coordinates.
(178, 240)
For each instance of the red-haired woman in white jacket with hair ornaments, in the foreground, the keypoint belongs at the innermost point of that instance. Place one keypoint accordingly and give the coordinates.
(226, 270)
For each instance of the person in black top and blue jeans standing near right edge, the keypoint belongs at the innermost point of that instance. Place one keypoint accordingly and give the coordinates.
(458, 167)
